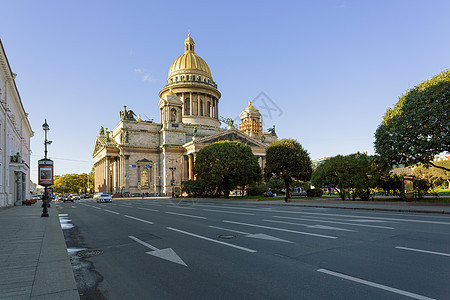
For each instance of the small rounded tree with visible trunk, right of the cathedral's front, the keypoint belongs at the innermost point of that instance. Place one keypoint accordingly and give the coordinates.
(286, 159)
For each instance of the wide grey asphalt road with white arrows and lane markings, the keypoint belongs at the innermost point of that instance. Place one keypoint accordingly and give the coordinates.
(166, 249)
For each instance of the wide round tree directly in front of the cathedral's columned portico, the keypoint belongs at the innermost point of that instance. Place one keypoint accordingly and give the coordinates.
(226, 165)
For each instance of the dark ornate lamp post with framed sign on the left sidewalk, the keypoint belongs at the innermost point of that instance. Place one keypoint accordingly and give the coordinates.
(45, 171)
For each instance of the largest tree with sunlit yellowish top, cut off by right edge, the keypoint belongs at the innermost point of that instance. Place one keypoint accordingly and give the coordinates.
(418, 127)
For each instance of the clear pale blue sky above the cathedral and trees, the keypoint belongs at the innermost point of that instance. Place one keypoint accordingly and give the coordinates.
(328, 70)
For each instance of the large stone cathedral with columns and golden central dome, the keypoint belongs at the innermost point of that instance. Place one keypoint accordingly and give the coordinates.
(140, 156)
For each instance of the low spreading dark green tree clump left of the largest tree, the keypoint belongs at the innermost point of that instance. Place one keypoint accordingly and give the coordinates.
(354, 173)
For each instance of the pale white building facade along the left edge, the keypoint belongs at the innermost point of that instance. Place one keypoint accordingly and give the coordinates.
(15, 134)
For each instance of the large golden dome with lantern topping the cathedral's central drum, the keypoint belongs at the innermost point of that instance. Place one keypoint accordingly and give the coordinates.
(189, 61)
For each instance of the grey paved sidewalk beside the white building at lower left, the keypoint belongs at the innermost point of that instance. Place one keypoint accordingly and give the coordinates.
(34, 263)
